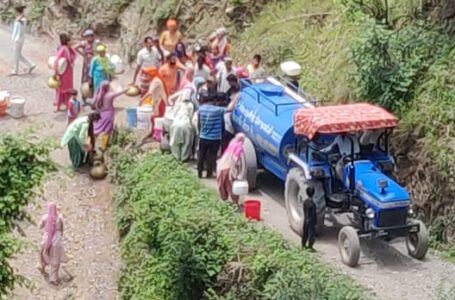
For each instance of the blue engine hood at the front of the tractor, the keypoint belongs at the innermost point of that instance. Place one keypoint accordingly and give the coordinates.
(377, 189)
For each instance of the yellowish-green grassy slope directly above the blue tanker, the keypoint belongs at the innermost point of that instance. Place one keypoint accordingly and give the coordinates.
(311, 32)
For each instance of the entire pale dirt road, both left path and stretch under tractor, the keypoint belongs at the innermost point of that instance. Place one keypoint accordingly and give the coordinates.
(91, 238)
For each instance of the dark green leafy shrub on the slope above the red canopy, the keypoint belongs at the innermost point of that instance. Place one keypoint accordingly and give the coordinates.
(390, 63)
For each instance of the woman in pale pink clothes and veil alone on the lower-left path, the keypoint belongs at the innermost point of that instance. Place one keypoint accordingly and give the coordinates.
(52, 252)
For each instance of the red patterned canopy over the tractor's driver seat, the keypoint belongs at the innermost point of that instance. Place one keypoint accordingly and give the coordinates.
(342, 118)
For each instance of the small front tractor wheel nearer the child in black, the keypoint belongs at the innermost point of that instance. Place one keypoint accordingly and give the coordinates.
(349, 246)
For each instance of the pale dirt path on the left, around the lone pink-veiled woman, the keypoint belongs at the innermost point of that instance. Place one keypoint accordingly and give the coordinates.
(90, 237)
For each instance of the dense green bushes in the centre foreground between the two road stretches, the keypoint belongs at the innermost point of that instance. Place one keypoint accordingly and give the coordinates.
(179, 241)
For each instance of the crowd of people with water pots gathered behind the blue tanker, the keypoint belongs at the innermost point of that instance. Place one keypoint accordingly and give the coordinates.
(200, 83)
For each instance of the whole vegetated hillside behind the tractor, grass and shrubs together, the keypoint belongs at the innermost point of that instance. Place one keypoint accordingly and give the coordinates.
(397, 54)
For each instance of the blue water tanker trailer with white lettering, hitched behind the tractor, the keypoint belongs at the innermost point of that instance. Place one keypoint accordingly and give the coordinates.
(265, 114)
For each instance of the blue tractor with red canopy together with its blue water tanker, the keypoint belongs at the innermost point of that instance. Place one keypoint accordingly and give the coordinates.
(290, 137)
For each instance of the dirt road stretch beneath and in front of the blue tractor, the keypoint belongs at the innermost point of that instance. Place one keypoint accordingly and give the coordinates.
(384, 268)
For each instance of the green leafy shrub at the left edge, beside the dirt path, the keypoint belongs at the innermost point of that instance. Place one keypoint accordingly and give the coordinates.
(23, 165)
